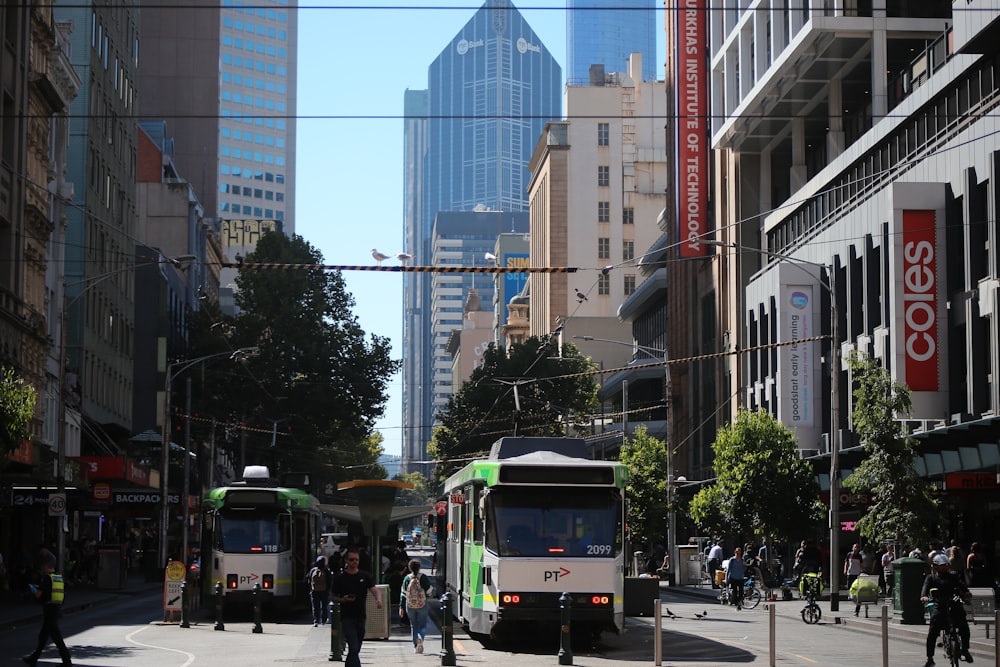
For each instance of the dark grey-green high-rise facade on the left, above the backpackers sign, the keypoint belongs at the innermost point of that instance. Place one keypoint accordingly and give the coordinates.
(101, 219)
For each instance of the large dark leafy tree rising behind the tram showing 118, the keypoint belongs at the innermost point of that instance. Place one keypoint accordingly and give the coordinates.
(314, 370)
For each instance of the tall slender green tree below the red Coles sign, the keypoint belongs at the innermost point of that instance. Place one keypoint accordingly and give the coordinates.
(902, 506)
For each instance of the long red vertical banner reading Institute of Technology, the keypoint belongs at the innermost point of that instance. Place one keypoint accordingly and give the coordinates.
(692, 127)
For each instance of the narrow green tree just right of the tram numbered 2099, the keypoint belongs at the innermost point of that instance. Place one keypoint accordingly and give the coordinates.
(647, 490)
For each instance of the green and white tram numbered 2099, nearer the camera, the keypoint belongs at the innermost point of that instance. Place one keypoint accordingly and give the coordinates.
(533, 521)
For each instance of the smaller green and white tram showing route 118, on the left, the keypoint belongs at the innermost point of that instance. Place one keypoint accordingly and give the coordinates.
(256, 532)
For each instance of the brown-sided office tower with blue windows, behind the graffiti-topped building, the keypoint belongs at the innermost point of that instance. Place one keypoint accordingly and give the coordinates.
(234, 123)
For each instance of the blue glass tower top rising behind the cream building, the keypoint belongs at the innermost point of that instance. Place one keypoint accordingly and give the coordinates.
(605, 32)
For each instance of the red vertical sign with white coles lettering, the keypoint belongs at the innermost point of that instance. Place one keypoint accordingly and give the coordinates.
(921, 282)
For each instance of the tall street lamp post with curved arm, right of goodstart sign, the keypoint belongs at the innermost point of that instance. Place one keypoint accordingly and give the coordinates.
(830, 287)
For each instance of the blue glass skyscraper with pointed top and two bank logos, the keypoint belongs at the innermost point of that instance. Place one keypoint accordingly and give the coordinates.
(489, 94)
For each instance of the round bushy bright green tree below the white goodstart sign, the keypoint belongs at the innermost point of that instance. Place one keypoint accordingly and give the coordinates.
(763, 487)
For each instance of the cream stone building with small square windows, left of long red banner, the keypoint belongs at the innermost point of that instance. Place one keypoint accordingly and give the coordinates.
(596, 190)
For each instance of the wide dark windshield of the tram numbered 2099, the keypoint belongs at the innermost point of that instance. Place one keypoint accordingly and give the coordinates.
(564, 522)
